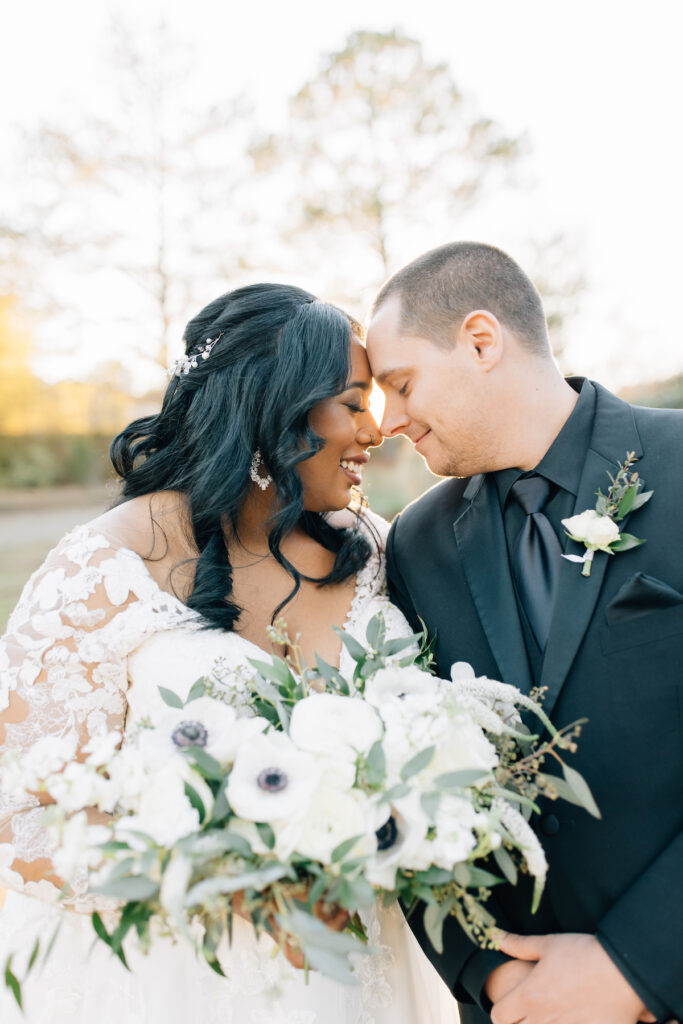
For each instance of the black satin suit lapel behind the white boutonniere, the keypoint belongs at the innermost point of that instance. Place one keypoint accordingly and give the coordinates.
(614, 435)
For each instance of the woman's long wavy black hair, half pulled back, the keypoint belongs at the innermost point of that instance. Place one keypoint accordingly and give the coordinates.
(281, 351)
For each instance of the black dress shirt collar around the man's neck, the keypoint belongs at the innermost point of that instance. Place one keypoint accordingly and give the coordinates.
(564, 462)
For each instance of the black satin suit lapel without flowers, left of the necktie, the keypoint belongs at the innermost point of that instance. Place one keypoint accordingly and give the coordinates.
(482, 545)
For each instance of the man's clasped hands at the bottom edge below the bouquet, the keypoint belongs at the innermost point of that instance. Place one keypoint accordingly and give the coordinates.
(572, 982)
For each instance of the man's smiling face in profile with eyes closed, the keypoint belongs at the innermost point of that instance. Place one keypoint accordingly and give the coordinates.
(435, 396)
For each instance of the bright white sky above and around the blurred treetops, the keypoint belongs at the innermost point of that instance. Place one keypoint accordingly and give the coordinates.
(595, 86)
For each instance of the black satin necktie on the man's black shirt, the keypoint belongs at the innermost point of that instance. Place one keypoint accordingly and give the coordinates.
(537, 558)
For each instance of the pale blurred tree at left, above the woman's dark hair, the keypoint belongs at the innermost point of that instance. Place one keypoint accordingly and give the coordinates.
(148, 187)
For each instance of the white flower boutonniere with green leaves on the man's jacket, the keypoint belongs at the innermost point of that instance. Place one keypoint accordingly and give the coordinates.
(597, 529)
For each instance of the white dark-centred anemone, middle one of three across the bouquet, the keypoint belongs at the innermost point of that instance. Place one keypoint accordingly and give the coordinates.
(272, 780)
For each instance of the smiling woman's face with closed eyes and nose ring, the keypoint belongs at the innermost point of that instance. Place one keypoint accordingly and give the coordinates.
(347, 425)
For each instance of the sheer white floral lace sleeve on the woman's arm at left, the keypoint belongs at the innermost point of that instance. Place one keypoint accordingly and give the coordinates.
(63, 674)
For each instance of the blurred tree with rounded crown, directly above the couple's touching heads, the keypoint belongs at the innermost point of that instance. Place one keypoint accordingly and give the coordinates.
(381, 144)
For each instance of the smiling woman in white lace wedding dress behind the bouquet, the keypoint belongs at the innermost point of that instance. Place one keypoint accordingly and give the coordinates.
(234, 513)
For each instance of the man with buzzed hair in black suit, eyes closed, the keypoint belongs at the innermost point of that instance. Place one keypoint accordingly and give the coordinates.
(458, 342)
